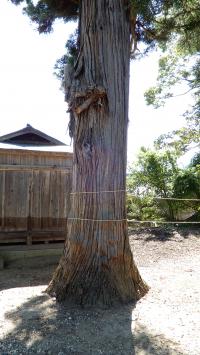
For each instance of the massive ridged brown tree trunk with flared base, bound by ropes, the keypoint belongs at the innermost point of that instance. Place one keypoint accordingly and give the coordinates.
(97, 265)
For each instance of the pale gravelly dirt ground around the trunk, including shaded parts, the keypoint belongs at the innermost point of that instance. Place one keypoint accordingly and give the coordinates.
(165, 322)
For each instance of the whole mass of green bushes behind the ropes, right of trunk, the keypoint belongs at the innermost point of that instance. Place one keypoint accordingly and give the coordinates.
(156, 175)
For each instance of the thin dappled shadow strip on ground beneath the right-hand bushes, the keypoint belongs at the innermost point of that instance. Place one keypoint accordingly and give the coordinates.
(163, 234)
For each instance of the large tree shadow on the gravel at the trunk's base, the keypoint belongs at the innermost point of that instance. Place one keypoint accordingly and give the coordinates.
(40, 325)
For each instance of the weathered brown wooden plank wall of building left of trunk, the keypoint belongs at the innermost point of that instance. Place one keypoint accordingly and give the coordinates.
(34, 195)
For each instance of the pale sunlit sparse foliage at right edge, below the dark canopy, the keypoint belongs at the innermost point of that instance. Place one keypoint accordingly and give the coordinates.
(174, 70)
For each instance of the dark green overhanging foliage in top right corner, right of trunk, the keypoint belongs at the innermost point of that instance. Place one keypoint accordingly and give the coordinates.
(158, 21)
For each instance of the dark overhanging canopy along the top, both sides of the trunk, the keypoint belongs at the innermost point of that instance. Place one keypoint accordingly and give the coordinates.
(151, 20)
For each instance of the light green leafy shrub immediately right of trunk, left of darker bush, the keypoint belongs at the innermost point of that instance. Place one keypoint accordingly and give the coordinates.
(155, 173)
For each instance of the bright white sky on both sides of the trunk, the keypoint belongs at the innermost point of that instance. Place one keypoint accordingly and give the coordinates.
(30, 93)
